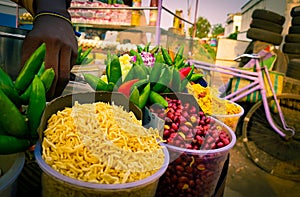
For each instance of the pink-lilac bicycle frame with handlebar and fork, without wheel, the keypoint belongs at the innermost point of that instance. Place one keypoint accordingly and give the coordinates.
(257, 84)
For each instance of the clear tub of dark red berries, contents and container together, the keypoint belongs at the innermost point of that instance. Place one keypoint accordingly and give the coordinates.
(198, 146)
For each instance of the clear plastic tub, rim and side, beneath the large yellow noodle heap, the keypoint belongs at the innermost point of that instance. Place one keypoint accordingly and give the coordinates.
(56, 184)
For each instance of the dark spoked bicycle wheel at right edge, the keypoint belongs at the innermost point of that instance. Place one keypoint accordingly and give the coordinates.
(265, 147)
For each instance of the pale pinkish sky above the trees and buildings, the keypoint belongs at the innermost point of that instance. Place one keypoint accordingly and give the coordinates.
(215, 11)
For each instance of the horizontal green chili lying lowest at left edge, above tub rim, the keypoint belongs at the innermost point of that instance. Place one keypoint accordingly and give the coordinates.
(11, 144)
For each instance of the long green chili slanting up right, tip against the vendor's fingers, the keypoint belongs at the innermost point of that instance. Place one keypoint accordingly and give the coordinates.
(31, 68)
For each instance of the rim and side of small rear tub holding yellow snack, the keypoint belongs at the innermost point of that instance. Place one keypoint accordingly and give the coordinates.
(231, 120)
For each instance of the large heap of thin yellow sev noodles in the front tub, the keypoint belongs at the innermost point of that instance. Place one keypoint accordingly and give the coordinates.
(101, 143)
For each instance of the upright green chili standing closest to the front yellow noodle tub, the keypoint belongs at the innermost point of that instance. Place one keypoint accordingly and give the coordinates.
(36, 106)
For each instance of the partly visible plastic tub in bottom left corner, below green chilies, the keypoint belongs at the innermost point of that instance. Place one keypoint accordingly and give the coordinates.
(11, 166)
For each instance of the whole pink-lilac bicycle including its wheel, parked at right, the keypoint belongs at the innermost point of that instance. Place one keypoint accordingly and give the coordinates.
(271, 137)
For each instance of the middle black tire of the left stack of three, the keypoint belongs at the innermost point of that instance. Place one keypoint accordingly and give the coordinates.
(266, 25)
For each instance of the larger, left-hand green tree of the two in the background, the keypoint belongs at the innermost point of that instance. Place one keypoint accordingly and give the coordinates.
(202, 28)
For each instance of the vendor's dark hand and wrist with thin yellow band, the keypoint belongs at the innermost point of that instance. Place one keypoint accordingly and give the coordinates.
(61, 46)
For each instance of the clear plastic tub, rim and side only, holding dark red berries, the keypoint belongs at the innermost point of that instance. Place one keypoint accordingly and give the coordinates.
(194, 172)
